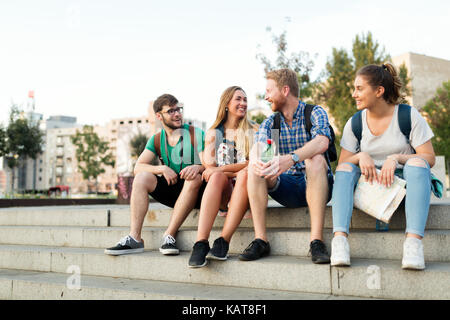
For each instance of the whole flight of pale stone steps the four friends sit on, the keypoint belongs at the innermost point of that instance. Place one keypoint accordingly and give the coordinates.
(57, 253)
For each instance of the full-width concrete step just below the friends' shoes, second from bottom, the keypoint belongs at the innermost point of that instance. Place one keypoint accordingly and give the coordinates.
(369, 278)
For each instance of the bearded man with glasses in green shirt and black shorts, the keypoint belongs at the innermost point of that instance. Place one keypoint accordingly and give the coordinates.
(176, 183)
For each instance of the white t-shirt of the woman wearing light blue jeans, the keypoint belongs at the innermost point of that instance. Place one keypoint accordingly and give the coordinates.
(392, 141)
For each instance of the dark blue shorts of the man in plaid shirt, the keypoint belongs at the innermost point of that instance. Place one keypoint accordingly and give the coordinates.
(290, 190)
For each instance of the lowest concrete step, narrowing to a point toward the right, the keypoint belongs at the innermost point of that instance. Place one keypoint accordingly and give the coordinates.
(24, 285)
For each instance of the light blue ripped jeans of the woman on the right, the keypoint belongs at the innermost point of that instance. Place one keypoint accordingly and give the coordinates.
(417, 203)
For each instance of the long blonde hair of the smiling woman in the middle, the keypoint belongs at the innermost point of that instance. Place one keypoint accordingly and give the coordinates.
(245, 127)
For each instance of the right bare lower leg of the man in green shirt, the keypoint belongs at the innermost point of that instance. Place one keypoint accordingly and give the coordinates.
(184, 205)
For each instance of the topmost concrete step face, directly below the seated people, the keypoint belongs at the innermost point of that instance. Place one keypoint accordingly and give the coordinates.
(159, 215)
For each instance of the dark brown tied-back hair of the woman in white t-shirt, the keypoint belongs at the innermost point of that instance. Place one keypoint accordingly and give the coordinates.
(385, 76)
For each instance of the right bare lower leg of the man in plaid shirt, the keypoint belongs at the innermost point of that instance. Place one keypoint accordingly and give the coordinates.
(316, 193)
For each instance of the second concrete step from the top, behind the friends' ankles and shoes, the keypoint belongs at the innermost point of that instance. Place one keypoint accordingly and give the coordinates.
(368, 244)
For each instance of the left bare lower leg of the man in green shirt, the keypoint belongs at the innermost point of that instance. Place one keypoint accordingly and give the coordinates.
(143, 184)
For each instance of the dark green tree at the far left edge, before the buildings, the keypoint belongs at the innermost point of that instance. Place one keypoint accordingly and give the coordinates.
(23, 139)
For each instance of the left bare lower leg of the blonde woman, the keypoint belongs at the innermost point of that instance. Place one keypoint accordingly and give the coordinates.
(217, 184)
